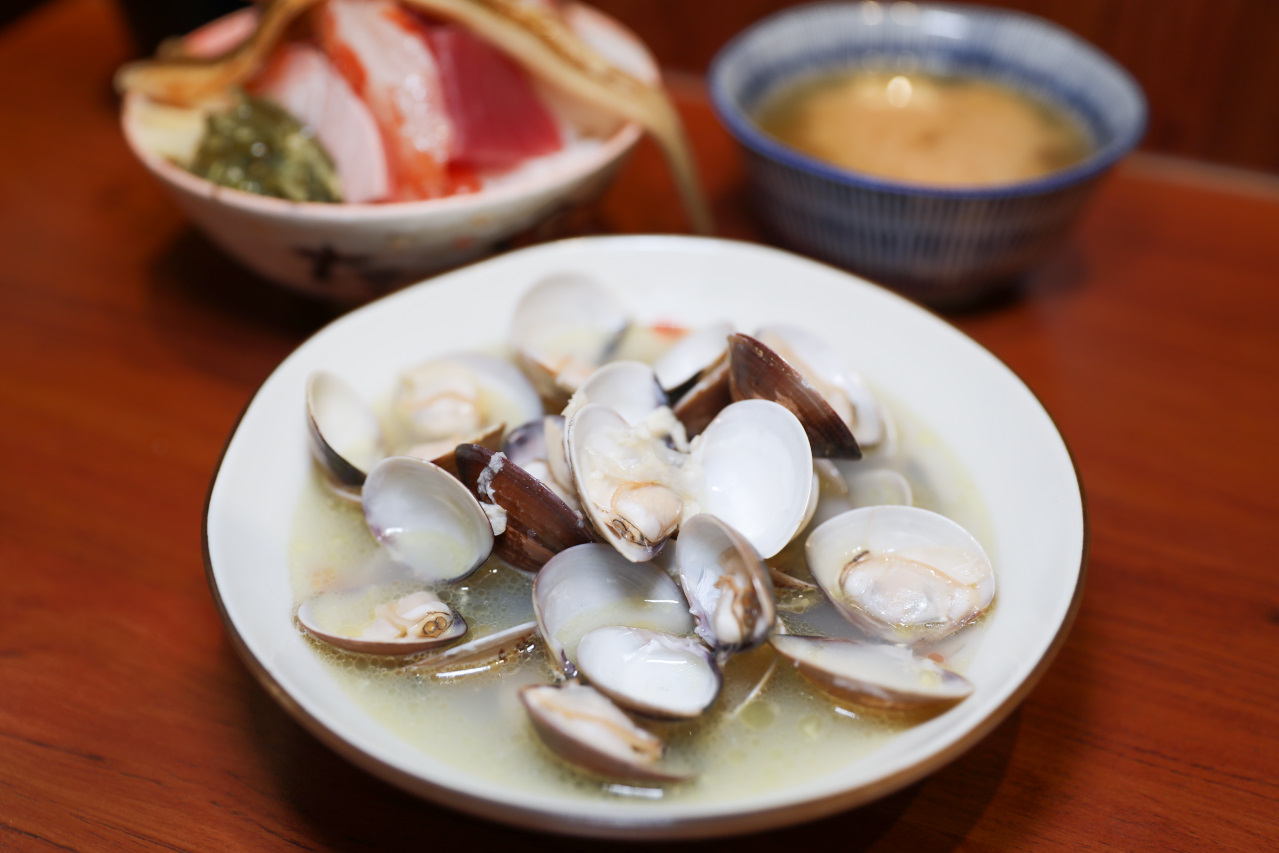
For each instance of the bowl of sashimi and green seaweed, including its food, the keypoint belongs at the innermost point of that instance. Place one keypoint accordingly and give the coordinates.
(352, 146)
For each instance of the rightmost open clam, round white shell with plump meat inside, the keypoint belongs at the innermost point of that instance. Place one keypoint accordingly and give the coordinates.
(904, 574)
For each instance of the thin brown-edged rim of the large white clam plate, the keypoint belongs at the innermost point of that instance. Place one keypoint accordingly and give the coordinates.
(645, 827)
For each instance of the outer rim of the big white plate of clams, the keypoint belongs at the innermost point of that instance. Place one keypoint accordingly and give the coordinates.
(680, 827)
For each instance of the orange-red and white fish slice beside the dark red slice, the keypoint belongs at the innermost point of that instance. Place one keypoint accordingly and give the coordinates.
(384, 56)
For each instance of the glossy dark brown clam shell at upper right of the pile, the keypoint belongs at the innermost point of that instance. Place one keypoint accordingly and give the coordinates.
(759, 373)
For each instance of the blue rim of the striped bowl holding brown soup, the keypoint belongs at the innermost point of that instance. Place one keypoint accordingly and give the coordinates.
(749, 135)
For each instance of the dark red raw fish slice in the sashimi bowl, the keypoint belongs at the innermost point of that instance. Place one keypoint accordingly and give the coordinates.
(499, 120)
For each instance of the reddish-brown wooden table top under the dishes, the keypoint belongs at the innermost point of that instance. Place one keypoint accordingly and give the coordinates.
(129, 347)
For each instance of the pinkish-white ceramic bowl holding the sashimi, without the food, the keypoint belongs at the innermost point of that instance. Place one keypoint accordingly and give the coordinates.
(352, 253)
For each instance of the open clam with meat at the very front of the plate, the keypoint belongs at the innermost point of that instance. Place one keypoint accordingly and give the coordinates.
(583, 727)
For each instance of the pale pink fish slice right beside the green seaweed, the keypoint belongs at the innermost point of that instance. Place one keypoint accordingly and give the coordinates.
(306, 84)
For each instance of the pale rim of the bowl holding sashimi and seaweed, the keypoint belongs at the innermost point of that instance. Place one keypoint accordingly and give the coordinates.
(609, 150)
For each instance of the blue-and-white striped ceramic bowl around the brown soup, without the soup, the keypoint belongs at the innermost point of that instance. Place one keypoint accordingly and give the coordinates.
(942, 246)
